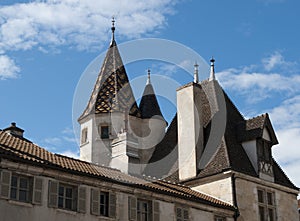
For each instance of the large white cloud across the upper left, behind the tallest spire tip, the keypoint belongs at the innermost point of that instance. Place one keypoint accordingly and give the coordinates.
(80, 23)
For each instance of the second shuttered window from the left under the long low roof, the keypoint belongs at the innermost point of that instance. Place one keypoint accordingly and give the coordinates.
(66, 197)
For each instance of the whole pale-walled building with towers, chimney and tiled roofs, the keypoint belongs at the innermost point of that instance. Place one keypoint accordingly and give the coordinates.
(209, 164)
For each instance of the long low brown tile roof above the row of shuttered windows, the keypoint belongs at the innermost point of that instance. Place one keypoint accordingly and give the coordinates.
(20, 150)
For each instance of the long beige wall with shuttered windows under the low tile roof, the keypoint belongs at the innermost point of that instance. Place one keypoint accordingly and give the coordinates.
(165, 205)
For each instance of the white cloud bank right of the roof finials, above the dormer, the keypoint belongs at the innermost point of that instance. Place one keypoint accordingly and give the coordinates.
(258, 78)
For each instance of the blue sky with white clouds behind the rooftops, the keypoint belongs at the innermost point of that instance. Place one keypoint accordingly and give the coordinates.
(46, 46)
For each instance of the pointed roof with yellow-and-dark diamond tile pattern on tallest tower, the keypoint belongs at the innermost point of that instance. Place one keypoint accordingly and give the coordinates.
(112, 91)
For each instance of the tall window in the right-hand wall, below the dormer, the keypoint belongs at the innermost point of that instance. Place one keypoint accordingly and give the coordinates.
(266, 205)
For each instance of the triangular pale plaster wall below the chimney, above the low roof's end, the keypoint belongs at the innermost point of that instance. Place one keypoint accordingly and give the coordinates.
(221, 189)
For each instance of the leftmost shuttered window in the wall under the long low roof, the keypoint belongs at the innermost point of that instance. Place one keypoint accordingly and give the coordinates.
(20, 188)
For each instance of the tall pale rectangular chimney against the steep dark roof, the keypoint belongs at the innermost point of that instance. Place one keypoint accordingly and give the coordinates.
(190, 129)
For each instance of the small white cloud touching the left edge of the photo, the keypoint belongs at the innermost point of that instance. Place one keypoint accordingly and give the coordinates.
(8, 68)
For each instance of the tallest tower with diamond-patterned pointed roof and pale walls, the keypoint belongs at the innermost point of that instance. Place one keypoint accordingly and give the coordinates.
(110, 108)
